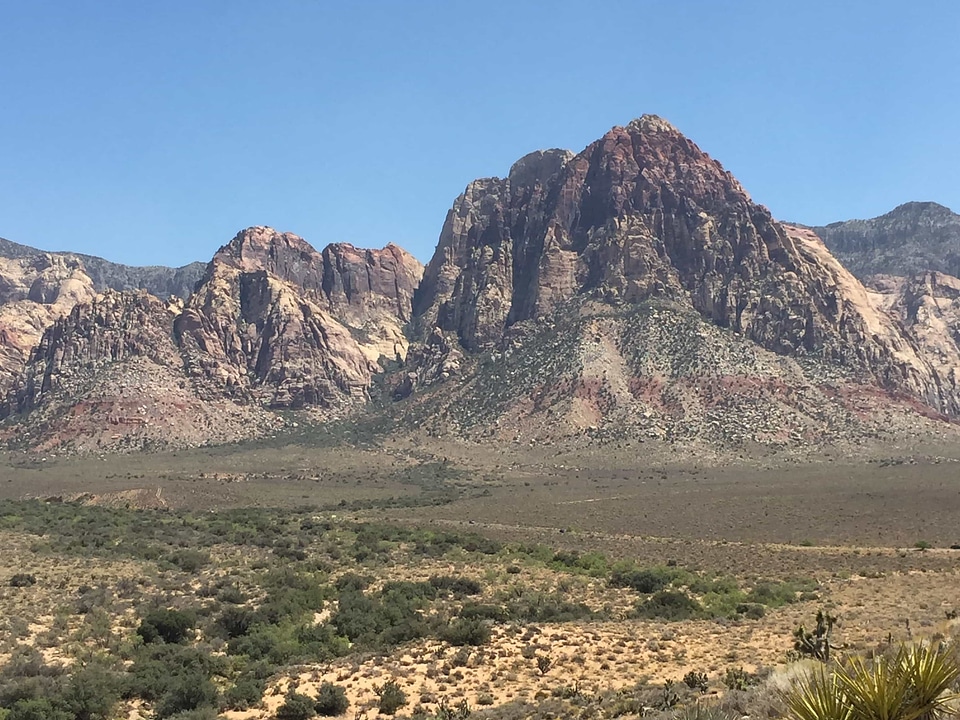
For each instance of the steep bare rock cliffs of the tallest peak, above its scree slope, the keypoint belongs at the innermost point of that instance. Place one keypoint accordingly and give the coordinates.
(644, 214)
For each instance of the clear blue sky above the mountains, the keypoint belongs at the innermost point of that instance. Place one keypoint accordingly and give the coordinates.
(151, 132)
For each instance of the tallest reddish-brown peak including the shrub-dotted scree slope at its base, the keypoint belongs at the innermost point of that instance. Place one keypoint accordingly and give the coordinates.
(640, 233)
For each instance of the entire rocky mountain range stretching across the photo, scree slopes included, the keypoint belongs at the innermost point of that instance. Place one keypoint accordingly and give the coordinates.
(631, 292)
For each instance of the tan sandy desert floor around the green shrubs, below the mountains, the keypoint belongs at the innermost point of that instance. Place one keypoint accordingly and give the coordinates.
(867, 538)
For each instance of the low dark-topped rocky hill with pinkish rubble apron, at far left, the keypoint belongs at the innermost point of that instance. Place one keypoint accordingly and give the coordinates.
(109, 376)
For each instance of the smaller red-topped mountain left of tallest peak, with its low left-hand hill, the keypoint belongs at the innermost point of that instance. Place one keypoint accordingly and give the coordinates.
(272, 324)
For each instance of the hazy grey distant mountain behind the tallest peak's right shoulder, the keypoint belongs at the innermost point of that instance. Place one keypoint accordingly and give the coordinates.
(911, 239)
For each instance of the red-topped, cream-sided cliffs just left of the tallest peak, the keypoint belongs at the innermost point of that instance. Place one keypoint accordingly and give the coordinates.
(275, 320)
